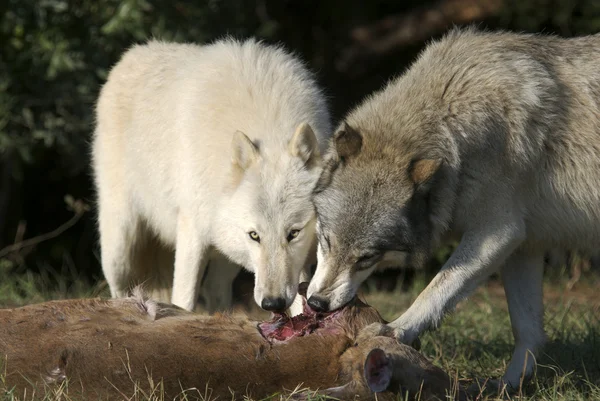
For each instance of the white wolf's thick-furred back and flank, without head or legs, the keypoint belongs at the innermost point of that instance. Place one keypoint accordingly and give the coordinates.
(167, 114)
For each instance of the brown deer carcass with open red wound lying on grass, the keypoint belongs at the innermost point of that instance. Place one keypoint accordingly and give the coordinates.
(111, 349)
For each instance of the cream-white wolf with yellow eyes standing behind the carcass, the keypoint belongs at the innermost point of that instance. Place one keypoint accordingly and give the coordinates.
(205, 147)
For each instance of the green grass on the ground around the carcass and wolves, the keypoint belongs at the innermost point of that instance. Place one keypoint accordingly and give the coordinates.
(474, 342)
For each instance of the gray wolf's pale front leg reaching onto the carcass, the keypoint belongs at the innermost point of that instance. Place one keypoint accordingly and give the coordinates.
(480, 252)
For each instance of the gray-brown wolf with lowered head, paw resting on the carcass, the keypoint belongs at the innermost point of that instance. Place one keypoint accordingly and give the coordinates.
(494, 137)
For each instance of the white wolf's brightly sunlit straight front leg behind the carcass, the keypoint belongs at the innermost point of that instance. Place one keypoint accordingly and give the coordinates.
(191, 257)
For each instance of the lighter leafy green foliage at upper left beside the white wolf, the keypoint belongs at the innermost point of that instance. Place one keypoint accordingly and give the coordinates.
(56, 53)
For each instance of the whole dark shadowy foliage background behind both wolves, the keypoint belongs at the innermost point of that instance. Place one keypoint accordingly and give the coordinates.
(55, 55)
